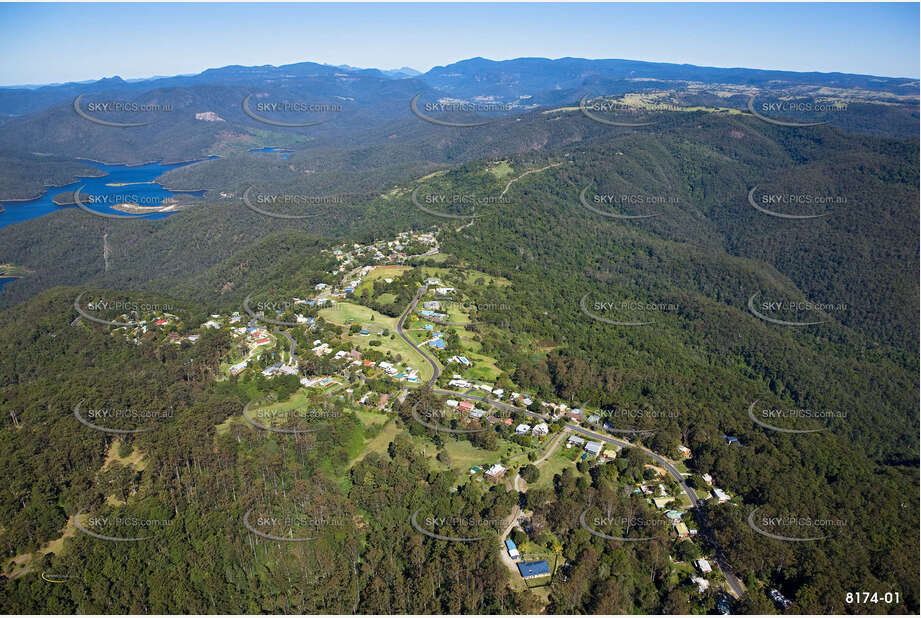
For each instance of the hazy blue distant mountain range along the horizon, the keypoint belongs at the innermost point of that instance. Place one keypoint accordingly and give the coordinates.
(543, 80)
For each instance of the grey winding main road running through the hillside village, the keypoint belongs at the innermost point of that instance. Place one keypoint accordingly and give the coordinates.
(735, 585)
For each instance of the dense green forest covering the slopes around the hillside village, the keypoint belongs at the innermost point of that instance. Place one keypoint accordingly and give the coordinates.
(700, 353)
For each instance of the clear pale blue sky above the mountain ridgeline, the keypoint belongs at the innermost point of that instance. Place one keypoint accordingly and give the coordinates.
(46, 43)
